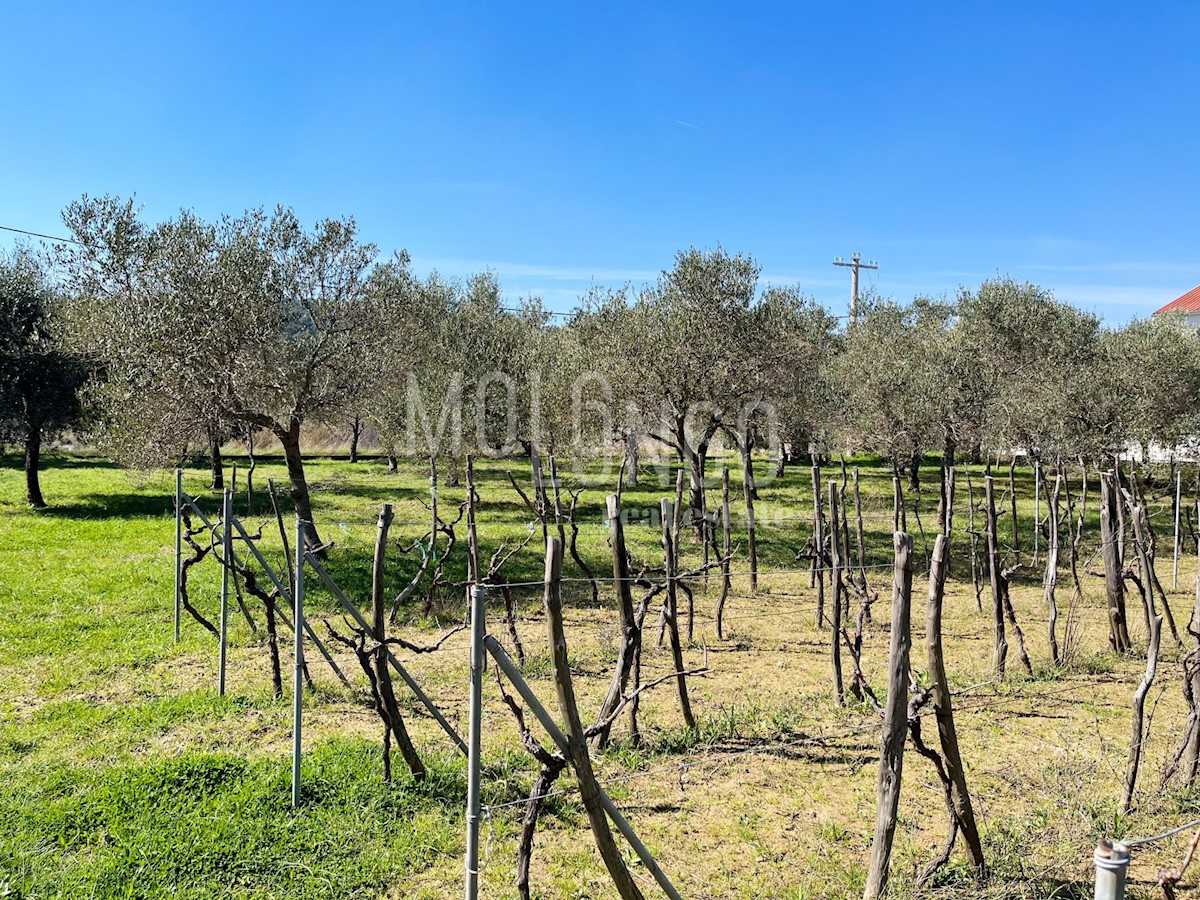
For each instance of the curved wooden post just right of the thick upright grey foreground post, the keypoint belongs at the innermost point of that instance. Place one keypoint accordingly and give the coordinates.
(944, 709)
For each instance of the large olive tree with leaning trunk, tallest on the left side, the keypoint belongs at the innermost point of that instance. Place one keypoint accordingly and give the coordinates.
(250, 321)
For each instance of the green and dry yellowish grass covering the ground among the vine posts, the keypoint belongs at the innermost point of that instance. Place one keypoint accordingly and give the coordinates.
(123, 775)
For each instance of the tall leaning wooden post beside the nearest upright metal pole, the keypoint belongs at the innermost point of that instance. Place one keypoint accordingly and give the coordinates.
(590, 791)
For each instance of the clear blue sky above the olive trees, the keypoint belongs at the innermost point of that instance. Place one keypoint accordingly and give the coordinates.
(565, 143)
